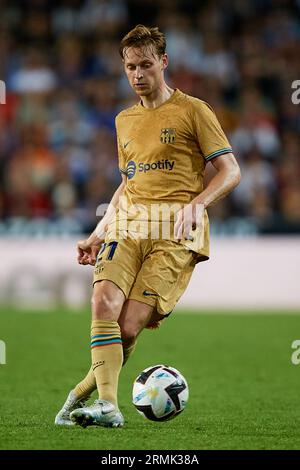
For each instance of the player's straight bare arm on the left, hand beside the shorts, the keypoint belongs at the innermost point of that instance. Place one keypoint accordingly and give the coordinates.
(87, 250)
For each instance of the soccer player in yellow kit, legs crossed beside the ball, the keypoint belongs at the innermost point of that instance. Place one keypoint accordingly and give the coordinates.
(164, 144)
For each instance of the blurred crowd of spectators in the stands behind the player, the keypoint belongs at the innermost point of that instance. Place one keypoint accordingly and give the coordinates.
(65, 84)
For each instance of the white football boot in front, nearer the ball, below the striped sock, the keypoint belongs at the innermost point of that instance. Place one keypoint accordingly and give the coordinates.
(101, 413)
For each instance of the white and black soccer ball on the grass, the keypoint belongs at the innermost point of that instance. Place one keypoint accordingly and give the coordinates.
(160, 393)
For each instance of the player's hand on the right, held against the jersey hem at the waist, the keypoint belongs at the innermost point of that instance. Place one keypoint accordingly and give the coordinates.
(188, 219)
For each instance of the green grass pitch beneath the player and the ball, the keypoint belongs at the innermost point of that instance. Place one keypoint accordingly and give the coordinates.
(244, 389)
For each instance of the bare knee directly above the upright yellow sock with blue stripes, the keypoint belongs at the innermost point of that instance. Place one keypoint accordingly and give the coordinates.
(107, 301)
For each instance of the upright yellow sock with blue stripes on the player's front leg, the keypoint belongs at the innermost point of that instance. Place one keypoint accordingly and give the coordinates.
(107, 358)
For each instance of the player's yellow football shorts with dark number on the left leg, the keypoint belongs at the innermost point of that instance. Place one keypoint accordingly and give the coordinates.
(155, 272)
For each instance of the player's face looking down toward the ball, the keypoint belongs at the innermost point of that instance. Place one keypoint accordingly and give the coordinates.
(144, 69)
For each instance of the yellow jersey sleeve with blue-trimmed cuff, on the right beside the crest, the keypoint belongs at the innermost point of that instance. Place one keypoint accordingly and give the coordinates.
(212, 140)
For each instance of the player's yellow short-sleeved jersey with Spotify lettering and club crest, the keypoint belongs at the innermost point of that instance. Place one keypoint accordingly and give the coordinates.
(163, 152)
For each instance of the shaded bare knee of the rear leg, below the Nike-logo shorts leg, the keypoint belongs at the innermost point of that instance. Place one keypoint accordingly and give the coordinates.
(134, 317)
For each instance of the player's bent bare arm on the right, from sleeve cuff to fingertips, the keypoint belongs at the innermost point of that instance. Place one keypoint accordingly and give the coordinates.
(227, 177)
